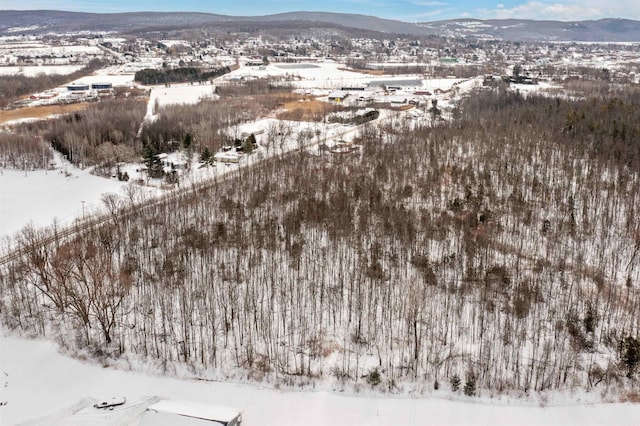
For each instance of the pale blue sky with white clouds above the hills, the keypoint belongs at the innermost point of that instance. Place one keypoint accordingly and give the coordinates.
(405, 10)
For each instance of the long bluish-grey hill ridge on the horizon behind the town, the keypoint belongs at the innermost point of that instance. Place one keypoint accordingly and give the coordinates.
(613, 30)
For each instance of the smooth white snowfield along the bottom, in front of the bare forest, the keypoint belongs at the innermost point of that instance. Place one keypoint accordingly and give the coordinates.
(37, 381)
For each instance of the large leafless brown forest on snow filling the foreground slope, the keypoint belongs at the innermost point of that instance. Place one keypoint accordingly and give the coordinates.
(498, 250)
